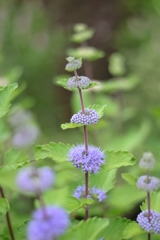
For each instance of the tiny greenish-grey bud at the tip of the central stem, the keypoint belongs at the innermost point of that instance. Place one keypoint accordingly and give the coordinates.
(73, 64)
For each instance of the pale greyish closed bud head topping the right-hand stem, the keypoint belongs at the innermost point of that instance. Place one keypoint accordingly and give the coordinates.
(147, 161)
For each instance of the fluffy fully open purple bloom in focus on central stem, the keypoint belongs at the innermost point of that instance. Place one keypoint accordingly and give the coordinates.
(90, 162)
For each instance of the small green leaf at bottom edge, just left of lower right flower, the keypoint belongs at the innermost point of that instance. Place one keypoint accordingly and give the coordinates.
(131, 230)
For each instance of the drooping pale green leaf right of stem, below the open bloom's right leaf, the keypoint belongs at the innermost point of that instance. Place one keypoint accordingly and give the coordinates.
(104, 180)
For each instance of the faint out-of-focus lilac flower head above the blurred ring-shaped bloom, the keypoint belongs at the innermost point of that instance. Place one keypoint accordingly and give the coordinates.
(25, 136)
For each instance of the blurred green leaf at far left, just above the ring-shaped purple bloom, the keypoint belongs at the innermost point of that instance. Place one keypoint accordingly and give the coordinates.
(14, 159)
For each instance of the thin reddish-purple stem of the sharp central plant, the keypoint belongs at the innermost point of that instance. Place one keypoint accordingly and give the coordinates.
(86, 147)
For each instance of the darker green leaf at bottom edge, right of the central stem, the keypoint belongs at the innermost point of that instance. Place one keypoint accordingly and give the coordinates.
(115, 229)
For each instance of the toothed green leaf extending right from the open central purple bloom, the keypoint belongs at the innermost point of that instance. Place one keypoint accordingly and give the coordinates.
(116, 159)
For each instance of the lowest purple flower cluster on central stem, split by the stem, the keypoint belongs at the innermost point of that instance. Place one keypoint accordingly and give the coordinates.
(93, 193)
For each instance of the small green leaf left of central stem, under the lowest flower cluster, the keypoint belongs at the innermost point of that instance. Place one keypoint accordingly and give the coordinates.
(73, 204)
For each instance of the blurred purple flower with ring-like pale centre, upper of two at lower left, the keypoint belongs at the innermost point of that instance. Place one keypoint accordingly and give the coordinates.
(35, 180)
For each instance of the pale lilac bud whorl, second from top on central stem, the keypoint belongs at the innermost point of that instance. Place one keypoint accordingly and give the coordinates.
(83, 82)
